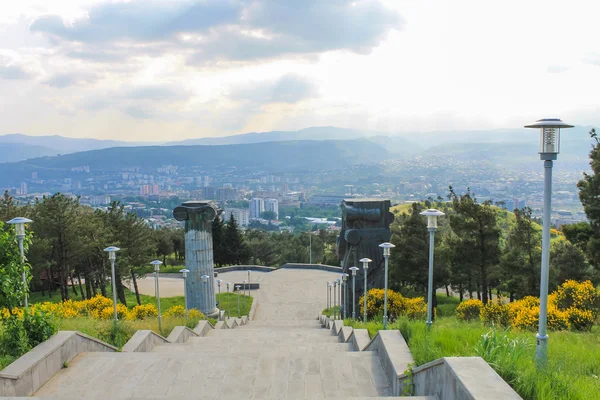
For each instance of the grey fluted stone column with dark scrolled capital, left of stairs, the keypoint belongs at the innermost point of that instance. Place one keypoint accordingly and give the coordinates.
(198, 217)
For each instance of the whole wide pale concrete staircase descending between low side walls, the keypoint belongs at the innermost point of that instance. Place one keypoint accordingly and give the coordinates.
(261, 360)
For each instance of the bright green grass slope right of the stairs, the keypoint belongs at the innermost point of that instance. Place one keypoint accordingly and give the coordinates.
(573, 359)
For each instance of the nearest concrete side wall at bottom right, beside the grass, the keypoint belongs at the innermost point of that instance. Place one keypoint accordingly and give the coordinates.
(459, 378)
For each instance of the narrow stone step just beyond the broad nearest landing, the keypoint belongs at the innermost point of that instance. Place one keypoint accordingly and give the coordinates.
(226, 347)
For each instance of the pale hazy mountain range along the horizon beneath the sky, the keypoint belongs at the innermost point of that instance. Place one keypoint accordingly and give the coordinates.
(490, 144)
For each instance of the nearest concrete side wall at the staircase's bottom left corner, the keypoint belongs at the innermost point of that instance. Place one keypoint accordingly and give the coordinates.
(32, 370)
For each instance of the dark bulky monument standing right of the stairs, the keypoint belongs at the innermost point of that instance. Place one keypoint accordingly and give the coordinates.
(365, 225)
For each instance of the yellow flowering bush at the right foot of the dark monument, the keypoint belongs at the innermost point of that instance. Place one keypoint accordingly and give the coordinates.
(398, 305)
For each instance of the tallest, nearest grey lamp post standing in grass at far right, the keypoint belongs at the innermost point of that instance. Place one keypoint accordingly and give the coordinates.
(549, 148)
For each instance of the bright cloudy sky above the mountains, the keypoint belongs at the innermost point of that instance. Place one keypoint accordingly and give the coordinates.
(161, 70)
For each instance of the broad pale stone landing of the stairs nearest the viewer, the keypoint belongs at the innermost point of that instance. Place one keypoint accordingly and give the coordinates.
(220, 376)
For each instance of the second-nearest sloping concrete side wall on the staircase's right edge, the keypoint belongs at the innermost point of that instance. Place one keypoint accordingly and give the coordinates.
(394, 354)
